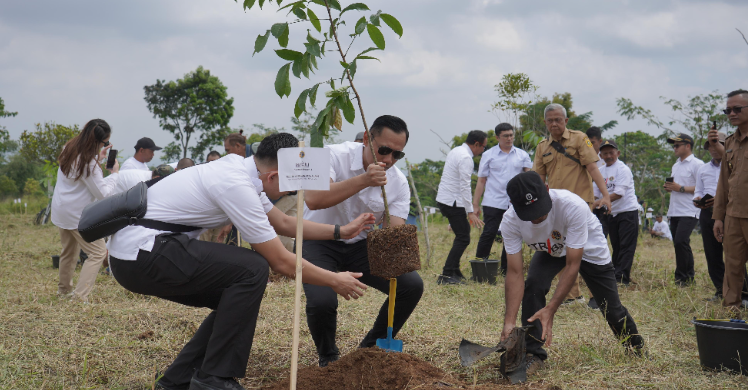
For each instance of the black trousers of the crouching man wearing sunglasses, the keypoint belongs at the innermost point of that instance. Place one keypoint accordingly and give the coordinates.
(322, 302)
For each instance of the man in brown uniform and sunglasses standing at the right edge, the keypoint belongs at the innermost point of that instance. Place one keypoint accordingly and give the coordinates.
(730, 206)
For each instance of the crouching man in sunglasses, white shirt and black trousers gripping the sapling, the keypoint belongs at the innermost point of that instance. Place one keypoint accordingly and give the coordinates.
(355, 189)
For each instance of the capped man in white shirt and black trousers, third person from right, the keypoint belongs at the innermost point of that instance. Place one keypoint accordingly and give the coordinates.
(683, 216)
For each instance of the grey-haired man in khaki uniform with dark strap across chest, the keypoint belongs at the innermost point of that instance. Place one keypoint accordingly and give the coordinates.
(567, 161)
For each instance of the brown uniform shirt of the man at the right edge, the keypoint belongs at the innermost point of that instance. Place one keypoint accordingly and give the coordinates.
(731, 194)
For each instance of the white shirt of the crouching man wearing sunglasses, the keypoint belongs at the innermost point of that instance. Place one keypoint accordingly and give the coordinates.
(346, 163)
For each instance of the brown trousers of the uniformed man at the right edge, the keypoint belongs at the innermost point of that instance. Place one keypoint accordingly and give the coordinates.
(735, 256)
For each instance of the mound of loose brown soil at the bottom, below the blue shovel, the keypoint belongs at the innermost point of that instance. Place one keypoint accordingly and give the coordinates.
(373, 369)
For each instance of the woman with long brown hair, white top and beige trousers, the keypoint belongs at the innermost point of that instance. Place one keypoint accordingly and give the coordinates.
(80, 181)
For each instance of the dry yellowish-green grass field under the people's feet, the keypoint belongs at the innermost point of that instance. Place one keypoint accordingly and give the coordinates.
(121, 339)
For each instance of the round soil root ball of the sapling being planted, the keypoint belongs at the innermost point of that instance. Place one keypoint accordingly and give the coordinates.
(393, 251)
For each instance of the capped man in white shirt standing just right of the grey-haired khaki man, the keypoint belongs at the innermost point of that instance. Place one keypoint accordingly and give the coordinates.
(623, 221)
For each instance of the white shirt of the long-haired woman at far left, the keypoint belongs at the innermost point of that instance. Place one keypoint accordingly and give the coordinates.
(72, 196)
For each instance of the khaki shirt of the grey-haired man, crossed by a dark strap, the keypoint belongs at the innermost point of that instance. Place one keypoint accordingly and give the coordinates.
(562, 172)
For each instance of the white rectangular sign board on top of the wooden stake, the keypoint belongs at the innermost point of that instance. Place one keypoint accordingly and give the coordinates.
(304, 169)
